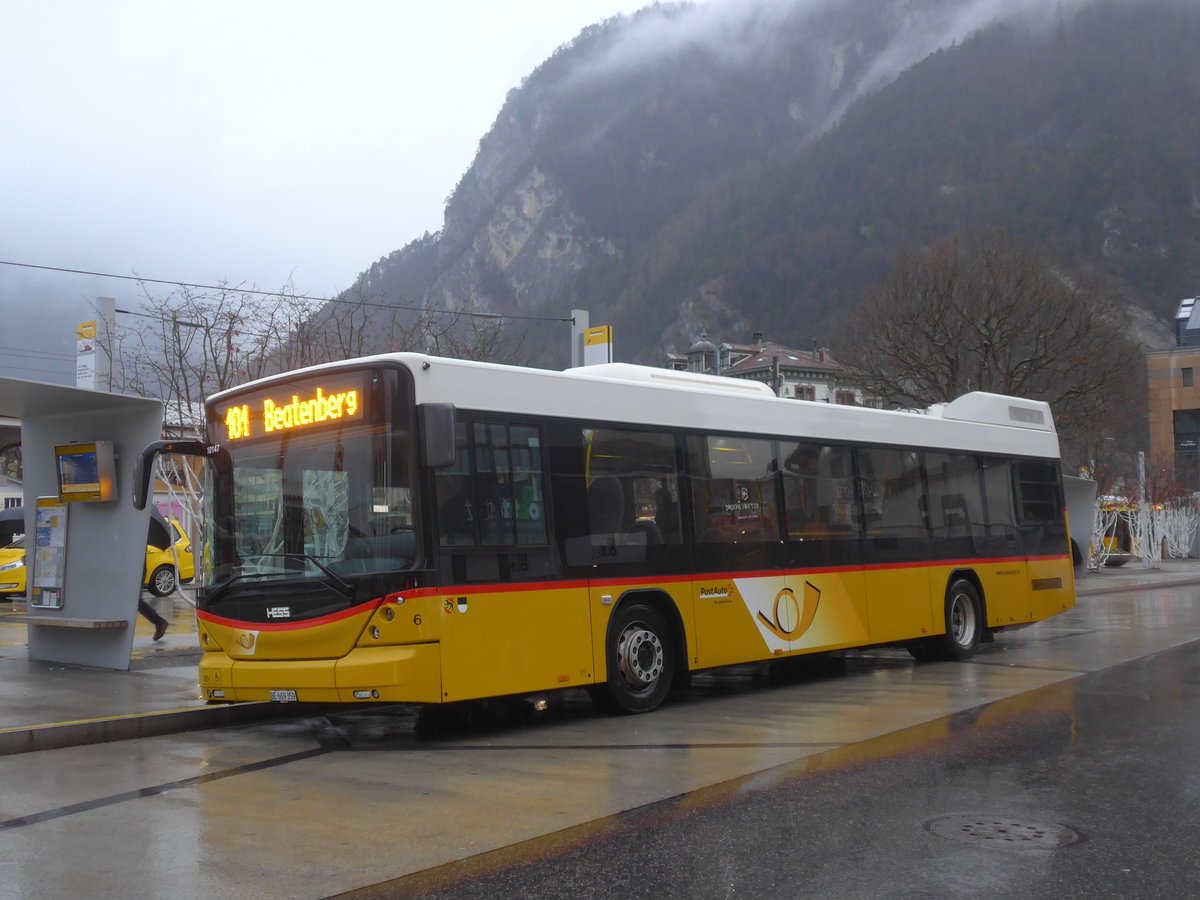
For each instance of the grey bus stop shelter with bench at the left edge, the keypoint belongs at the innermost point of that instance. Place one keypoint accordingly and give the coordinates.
(105, 541)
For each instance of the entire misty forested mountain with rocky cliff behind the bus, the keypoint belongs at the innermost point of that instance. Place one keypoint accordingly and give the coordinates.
(764, 175)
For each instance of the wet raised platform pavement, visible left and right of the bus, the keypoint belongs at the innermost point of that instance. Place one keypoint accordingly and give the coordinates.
(45, 706)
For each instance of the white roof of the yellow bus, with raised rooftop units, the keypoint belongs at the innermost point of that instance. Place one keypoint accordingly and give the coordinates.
(621, 393)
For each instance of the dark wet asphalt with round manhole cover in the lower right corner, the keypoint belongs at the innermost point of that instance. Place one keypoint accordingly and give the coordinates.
(1085, 789)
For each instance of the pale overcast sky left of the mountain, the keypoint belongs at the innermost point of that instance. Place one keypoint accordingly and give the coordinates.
(245, 141)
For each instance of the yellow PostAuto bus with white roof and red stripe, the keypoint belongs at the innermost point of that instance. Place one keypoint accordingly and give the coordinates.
(406, 529)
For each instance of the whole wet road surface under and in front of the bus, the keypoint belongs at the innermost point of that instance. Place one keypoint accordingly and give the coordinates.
(1061, 763)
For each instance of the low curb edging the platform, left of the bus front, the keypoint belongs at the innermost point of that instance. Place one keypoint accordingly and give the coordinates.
(58, 736)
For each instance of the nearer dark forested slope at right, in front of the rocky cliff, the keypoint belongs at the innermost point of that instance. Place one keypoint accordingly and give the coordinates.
(1083, 143)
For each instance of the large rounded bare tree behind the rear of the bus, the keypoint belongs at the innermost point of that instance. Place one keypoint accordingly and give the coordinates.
(986, 314)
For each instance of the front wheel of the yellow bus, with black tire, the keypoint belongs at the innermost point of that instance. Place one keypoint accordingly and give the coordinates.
(641, 661)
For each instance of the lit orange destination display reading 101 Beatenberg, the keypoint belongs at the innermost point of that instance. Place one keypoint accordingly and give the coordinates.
(292, 407)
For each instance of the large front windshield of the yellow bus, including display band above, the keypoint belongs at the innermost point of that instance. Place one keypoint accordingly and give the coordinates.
(321, 500)
